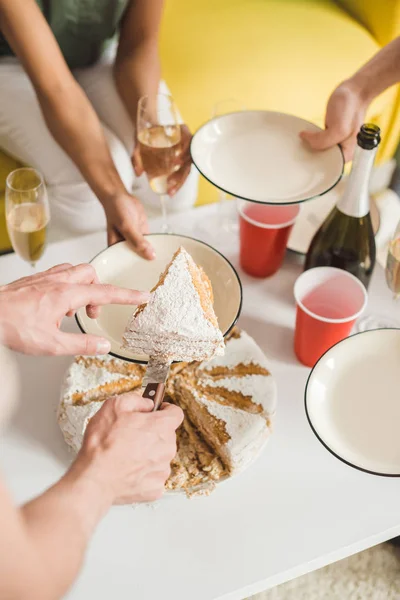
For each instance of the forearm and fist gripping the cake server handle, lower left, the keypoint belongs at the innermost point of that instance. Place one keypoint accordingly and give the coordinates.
(125, 458)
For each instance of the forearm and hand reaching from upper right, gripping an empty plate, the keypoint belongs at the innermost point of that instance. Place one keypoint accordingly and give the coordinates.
(349, 102)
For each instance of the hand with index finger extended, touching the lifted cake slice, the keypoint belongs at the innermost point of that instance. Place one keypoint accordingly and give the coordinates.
(32, 308)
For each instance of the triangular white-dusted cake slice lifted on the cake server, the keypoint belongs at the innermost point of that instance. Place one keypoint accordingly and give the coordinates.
(178, 322)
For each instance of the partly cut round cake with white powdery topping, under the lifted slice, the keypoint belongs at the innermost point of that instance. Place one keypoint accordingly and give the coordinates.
(229, 403)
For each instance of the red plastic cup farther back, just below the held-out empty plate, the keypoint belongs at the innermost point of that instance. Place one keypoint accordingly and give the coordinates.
(264, 232)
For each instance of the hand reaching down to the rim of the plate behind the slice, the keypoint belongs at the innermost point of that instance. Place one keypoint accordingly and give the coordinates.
(126, 220)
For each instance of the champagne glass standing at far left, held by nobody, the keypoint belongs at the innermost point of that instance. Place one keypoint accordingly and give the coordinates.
(27, 213)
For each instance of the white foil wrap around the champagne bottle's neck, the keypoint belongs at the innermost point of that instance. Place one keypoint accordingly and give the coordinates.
(355, 200)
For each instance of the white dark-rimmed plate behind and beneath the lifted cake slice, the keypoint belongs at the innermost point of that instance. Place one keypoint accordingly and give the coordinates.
(119, 265)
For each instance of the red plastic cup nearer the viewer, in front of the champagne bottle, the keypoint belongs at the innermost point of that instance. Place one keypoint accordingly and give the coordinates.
(329, 301)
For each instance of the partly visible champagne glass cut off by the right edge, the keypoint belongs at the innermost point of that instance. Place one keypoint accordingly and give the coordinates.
(392, 273)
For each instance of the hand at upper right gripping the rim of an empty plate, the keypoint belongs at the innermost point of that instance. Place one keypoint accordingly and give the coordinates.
(345, 114)
